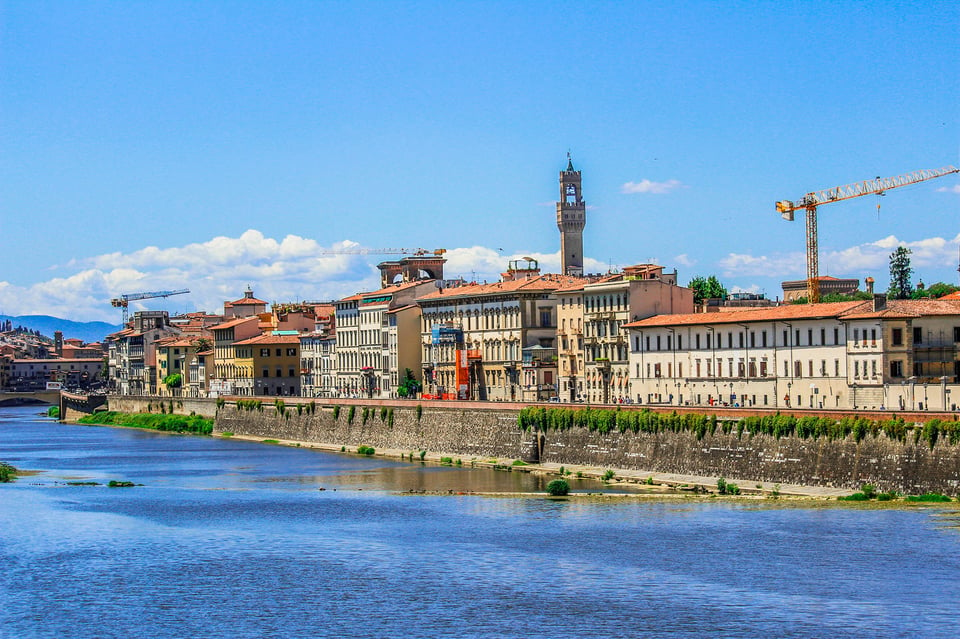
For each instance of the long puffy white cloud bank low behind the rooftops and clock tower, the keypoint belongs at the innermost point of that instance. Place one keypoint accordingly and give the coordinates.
(291, 269)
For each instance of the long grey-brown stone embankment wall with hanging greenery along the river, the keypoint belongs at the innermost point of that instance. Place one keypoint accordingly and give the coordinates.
(484, 431)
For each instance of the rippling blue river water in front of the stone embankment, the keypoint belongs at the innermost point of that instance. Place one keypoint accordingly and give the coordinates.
(235, 539)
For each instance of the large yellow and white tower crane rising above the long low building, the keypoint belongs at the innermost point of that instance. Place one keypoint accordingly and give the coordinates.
(811, 201)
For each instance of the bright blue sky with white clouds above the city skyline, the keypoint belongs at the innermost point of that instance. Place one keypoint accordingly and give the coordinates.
(211, 145)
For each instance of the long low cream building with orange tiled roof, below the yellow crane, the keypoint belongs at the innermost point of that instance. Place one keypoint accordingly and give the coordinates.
(875, 354)
